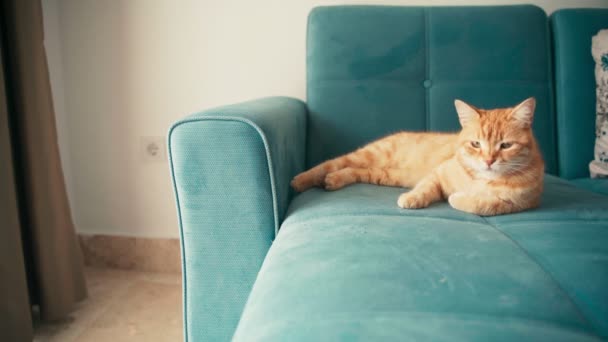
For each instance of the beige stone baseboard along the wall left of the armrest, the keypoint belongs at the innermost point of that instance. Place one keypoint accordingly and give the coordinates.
(131, 253)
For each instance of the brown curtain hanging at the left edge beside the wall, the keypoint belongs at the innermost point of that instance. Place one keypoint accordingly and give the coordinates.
(51, 254)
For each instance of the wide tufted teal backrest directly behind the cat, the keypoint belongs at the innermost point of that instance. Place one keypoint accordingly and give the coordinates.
(374, 70)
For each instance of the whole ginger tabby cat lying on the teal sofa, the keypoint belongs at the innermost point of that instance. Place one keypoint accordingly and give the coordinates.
(492, 166)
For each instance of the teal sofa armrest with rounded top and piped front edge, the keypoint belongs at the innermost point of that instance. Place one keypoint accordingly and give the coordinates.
(231, 168)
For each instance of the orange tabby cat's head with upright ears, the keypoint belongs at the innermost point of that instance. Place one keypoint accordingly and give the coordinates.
(496, 142)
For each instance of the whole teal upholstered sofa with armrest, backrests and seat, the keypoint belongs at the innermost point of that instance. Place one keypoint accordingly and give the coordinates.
(262, 263)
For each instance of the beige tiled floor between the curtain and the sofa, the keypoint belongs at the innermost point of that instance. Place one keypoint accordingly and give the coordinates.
(122, 306)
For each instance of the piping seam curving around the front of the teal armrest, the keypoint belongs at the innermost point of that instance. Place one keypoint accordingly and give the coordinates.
(179, 214)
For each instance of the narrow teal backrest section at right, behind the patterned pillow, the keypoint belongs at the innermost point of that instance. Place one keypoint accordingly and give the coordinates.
(575, 87)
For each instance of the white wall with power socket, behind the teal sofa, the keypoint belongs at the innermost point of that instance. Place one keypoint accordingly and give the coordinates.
(124, 69)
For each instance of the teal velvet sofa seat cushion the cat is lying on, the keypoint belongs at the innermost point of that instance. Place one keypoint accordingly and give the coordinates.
(351, 265)
